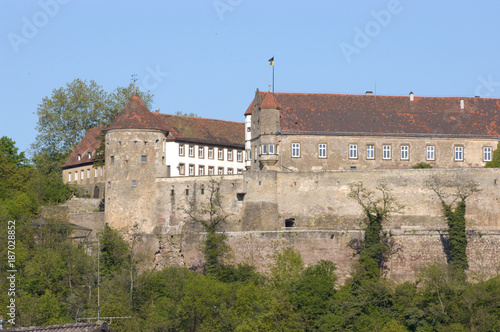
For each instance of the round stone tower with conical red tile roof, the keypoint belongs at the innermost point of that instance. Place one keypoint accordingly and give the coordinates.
(135, 157)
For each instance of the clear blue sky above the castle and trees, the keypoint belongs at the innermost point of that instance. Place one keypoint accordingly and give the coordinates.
(208, 57)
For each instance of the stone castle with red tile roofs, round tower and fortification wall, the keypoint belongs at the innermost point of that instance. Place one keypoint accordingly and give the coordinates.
(285, 175)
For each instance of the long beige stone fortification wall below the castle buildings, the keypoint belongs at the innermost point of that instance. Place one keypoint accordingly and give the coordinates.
(326, 223)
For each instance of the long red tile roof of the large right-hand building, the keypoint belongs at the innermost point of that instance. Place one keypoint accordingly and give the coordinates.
(388, 115)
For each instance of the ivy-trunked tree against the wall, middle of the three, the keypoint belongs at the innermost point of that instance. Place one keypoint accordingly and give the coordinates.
(376, 210)
